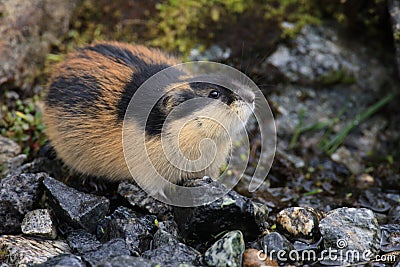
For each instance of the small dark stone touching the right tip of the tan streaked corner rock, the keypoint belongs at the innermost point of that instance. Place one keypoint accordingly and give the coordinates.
(82, 242)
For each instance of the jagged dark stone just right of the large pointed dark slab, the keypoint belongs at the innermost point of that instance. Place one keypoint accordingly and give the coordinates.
(125, 223)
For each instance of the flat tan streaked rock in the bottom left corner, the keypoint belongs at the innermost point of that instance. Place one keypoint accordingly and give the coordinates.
(22, 251)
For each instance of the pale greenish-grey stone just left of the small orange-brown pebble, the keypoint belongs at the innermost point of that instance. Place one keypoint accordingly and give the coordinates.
(227, 251)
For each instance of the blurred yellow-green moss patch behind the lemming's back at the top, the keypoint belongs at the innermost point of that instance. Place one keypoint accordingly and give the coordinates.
(183, 24)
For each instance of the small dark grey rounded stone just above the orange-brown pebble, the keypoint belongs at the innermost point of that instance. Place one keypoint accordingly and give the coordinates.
(274, 242)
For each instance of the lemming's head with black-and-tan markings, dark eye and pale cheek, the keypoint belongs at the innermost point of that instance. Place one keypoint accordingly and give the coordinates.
(206, 106)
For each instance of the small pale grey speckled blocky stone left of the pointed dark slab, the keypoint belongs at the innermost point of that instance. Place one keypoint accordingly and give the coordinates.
(39, 223)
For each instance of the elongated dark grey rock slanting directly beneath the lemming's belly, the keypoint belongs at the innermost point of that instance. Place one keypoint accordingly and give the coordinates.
(139, 198)
